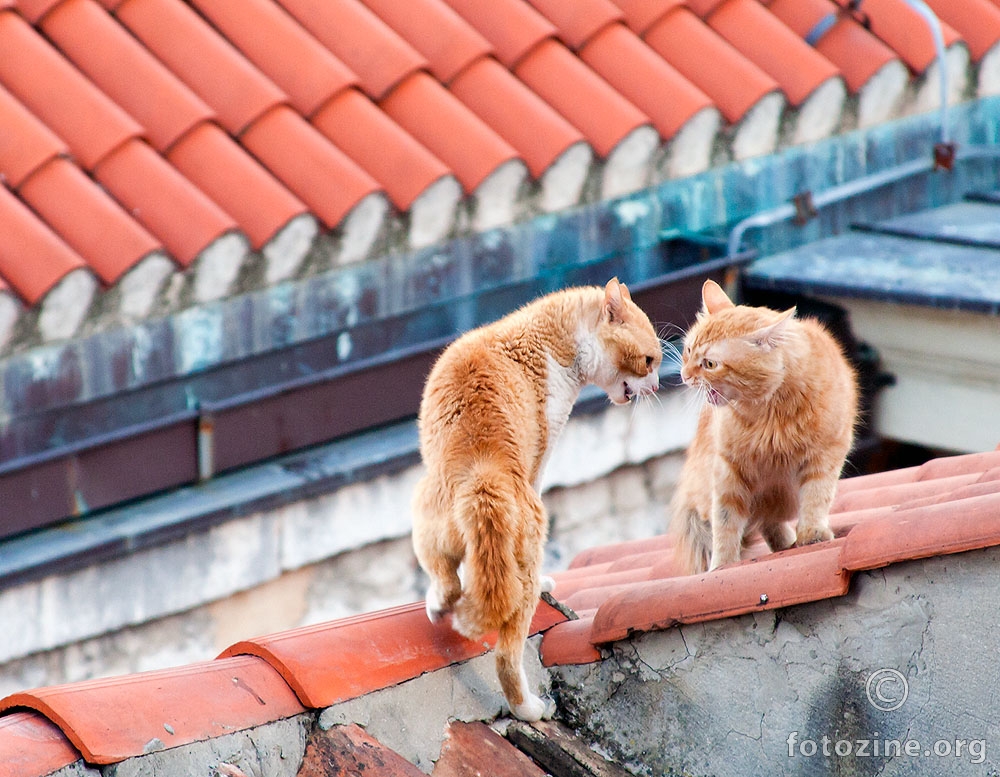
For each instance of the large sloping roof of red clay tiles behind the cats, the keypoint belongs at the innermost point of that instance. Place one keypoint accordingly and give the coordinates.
(177, 124)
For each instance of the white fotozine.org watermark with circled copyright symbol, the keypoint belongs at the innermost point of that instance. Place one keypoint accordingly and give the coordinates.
(886, 691)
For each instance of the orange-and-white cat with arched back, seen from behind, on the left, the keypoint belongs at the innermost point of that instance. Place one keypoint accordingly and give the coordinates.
(492, 407)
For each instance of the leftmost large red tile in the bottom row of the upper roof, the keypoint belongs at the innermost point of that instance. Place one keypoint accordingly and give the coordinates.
(32, 257)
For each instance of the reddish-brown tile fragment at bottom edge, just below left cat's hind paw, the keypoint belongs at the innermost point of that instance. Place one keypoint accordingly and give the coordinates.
(475, 748)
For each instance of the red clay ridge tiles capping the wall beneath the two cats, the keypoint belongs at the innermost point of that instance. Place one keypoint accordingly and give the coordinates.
(947, 505)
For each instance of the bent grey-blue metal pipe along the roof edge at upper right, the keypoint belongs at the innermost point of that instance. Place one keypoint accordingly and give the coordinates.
(869, 183)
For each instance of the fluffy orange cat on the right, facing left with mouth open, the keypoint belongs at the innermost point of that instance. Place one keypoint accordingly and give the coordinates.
(781, 404)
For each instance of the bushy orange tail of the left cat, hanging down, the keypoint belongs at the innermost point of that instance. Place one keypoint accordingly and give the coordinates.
(490, 505)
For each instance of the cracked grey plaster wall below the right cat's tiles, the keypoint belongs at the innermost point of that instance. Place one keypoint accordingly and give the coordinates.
(755, 694)
